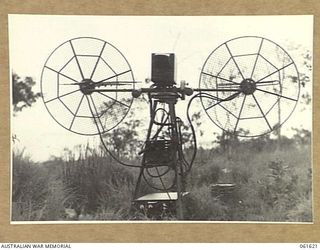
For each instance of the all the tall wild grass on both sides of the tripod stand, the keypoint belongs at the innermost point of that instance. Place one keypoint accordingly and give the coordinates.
(271, 185)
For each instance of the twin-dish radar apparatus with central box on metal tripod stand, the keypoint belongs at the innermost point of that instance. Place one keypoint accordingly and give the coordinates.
(88, 87)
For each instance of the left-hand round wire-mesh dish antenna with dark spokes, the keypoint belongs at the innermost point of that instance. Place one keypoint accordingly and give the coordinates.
(81, 85)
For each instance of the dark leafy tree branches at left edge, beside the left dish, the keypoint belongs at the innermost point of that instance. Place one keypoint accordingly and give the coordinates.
(22, 94)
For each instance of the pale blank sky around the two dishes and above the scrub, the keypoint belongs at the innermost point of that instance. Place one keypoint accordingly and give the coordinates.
(33, 37)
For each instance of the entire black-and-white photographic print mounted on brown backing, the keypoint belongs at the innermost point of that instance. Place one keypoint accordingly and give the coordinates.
(143, 119)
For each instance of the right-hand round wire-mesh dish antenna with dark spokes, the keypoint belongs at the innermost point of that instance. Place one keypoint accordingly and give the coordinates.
(261, 84)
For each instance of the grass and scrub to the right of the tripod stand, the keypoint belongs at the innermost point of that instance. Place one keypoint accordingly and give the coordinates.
(271, 184)
